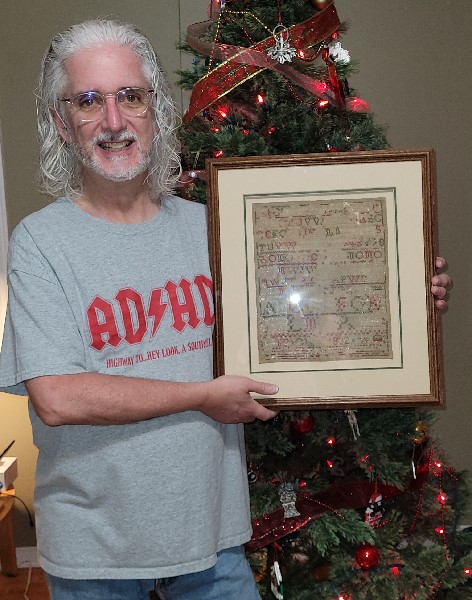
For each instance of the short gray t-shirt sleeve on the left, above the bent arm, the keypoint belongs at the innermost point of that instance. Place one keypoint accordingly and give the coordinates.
(41, 336)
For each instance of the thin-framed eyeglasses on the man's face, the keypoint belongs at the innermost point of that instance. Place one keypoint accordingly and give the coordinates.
(90, 106)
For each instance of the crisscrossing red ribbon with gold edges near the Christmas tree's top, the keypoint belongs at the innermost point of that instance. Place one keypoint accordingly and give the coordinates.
(241, 64)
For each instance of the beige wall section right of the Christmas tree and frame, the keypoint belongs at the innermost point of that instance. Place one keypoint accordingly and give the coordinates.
(411, 59)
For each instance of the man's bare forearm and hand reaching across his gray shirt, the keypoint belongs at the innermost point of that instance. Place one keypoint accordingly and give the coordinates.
(99, 399)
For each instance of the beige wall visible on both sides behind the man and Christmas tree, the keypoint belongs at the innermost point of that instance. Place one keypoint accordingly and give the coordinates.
(414, 59)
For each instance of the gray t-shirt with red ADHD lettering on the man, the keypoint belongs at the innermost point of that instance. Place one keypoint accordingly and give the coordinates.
(151, 499)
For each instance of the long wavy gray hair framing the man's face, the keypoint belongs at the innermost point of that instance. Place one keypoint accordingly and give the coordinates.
(60, 172)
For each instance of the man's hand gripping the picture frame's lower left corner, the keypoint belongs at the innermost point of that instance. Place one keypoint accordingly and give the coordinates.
(229, 400)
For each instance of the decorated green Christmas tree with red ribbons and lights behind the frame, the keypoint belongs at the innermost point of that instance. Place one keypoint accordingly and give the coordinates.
(345, 505)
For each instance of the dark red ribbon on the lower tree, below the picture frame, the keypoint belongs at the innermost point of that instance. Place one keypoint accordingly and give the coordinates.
(273, 526)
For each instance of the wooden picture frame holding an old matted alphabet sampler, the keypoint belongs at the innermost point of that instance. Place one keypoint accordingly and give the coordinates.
(322, 266)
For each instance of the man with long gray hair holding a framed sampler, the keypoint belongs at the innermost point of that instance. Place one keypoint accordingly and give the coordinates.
(141, 476)
